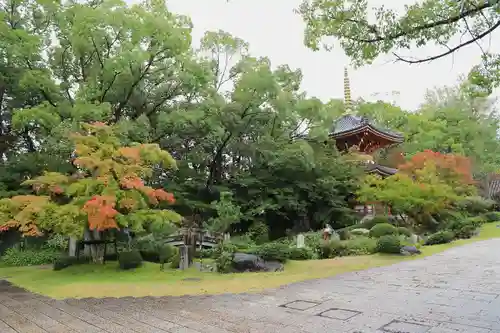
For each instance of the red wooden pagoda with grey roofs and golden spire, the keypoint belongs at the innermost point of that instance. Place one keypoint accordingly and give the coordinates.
(363, 137)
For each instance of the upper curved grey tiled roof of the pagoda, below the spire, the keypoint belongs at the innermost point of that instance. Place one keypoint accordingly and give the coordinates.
(348, 125)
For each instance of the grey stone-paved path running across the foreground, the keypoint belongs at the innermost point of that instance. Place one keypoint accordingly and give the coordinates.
(455, 291)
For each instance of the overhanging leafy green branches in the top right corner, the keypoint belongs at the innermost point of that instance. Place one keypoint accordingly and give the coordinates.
(428, 22)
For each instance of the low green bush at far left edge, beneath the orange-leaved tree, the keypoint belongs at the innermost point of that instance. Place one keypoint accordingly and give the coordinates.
(29, 257)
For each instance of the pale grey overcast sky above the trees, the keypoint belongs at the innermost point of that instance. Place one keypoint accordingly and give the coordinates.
(273, 30)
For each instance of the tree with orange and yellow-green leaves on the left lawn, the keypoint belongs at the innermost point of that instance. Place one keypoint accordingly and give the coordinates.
(108, 191)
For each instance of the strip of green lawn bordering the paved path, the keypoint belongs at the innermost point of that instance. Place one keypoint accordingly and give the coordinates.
(106, 281)
